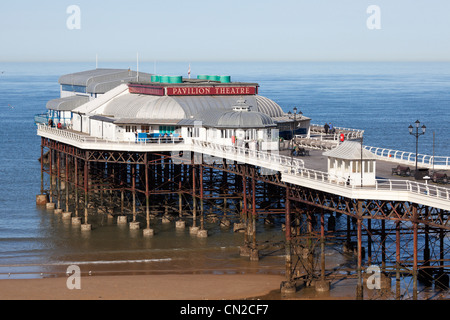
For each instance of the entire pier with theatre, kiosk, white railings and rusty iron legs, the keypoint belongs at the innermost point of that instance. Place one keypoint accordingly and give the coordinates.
(208, 150)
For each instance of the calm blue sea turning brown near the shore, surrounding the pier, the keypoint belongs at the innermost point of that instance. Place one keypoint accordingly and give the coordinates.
(381, 98)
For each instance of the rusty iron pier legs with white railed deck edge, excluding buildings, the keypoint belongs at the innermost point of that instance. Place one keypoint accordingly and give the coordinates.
(399, 224)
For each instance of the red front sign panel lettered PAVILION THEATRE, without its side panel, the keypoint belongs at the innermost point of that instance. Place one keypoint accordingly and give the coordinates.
(211, 91)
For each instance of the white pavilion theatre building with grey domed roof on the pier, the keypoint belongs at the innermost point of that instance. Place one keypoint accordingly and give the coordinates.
(126, 106)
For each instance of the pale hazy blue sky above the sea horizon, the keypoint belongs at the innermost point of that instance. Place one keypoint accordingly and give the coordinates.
(227, 30)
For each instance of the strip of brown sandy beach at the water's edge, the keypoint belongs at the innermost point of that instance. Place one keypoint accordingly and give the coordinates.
(143, 287)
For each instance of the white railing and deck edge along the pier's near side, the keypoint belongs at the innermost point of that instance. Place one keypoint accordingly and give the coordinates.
(309, 171)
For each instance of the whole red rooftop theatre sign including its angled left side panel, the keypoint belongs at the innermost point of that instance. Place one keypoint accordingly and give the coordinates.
(193, 91)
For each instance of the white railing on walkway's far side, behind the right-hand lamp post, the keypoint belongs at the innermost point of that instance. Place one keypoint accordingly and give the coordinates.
(410, 157)
